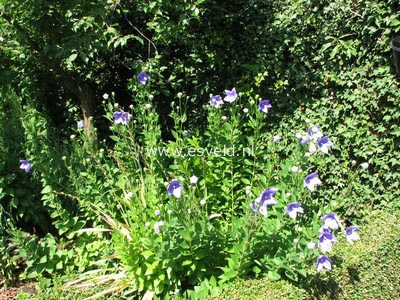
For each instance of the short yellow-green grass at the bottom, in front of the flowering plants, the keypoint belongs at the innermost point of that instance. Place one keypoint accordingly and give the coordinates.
(369, 269)
